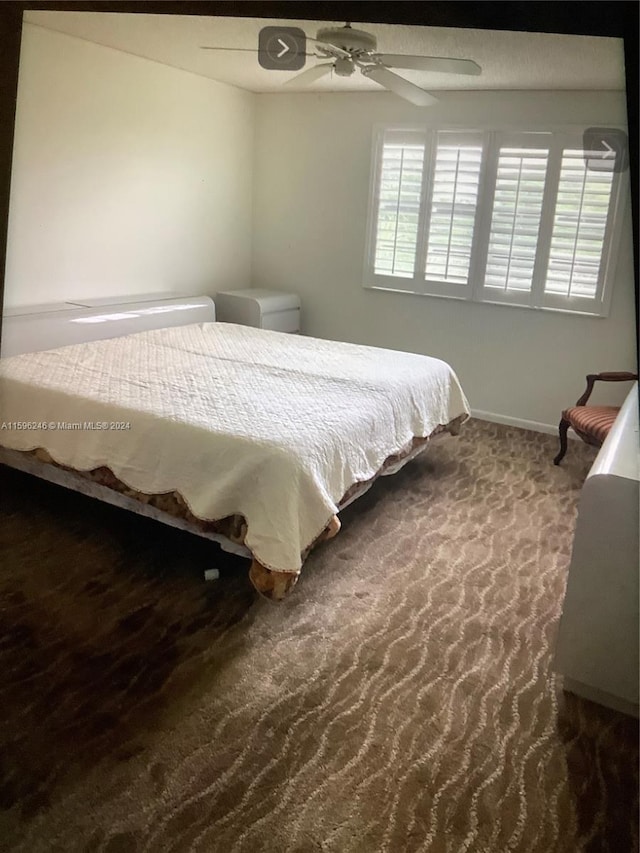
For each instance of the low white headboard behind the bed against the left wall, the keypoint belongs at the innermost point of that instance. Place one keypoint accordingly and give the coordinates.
(41, 327)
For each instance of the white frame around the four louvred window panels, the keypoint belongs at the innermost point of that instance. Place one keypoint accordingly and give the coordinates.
(560, 137)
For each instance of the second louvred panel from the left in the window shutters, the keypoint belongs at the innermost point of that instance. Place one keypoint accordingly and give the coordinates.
(453, 201)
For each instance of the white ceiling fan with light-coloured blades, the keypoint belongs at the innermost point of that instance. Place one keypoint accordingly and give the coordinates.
(348, 49)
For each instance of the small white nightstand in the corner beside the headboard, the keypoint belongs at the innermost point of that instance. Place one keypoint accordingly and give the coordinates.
(265, 309)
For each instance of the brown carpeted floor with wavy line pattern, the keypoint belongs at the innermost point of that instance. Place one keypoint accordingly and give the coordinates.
(401, 700)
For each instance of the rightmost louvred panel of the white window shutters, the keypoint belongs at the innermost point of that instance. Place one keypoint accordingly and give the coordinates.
(579, 227)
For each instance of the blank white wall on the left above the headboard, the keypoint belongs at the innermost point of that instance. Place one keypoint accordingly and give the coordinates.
(128, 176)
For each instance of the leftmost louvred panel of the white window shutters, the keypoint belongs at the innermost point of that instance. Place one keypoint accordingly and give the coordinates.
(398, 205)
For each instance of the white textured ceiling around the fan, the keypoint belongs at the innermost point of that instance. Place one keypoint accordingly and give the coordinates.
(509, 60)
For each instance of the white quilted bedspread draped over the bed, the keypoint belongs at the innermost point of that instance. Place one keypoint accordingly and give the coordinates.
(238, 420)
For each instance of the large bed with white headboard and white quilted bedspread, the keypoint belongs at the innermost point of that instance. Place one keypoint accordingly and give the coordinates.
(253, 438)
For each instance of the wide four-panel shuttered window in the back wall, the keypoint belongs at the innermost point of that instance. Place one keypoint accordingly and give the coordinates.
(512, 218)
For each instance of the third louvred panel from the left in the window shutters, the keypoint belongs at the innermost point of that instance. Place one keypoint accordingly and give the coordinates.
(515, 222)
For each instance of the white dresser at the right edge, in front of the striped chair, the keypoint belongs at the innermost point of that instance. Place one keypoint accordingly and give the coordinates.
(597, 646)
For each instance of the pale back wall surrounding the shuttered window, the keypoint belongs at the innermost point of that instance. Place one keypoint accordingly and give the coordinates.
(312, 170)
